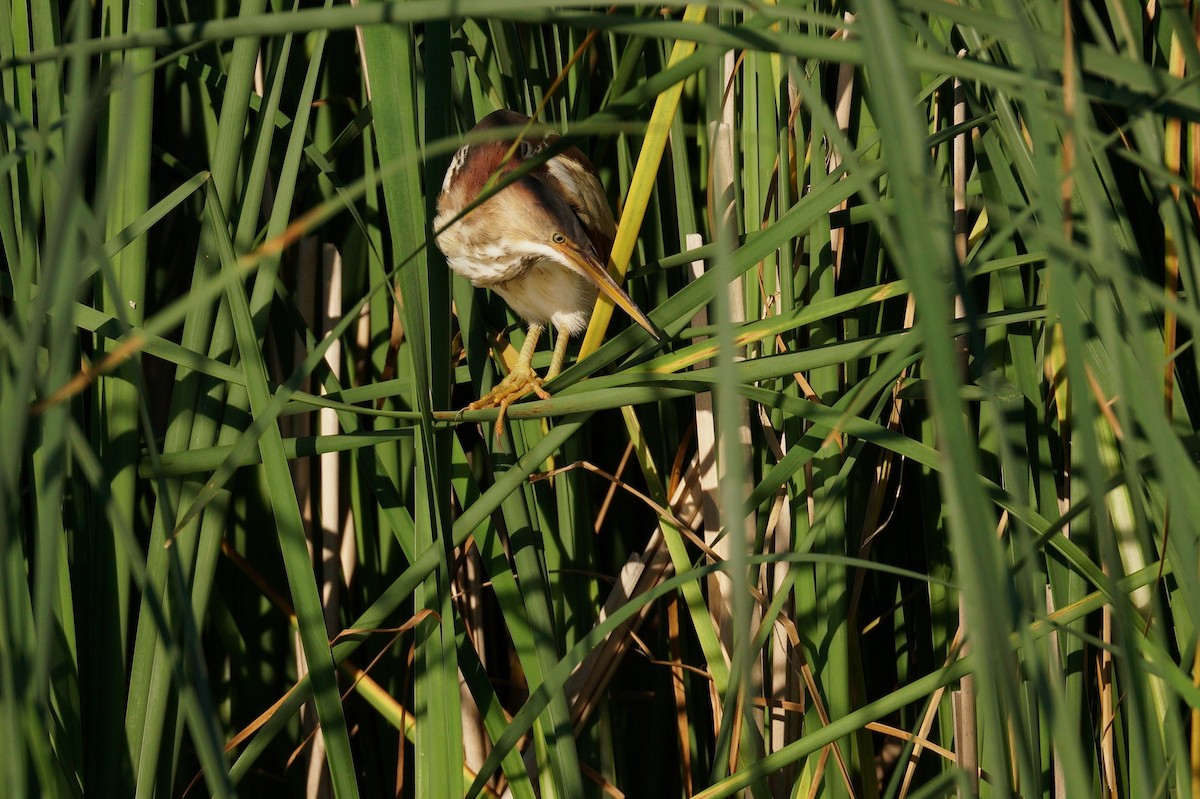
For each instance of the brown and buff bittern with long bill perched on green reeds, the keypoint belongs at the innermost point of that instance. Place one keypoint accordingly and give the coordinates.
(542, 243)
